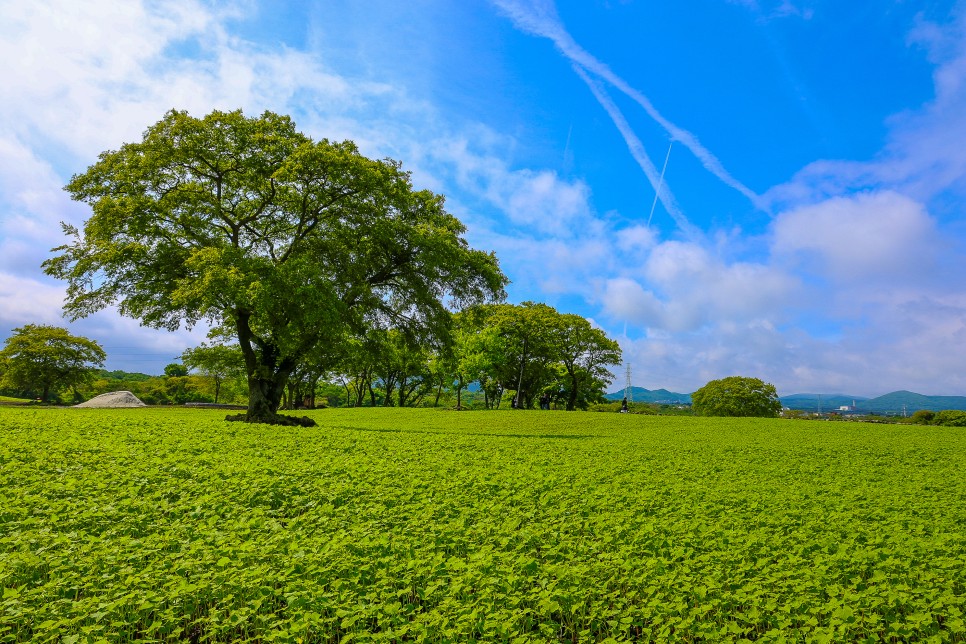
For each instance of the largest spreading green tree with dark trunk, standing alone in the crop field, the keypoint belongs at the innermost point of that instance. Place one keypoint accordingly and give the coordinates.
(283, 240)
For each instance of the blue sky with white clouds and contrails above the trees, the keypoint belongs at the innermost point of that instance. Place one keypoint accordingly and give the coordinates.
(809, 230)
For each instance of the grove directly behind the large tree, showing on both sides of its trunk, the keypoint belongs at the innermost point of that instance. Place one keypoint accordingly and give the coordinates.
(531, 350)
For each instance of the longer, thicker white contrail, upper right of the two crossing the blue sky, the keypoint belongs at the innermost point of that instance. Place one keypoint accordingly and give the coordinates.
(540, 18)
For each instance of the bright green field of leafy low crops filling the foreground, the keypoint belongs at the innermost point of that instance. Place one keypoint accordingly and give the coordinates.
(386, 525)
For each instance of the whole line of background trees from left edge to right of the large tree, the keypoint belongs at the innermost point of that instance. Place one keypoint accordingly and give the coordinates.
(523, 351)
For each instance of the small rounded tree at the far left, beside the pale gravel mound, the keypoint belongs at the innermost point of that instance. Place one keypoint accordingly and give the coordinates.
(47, 358)
